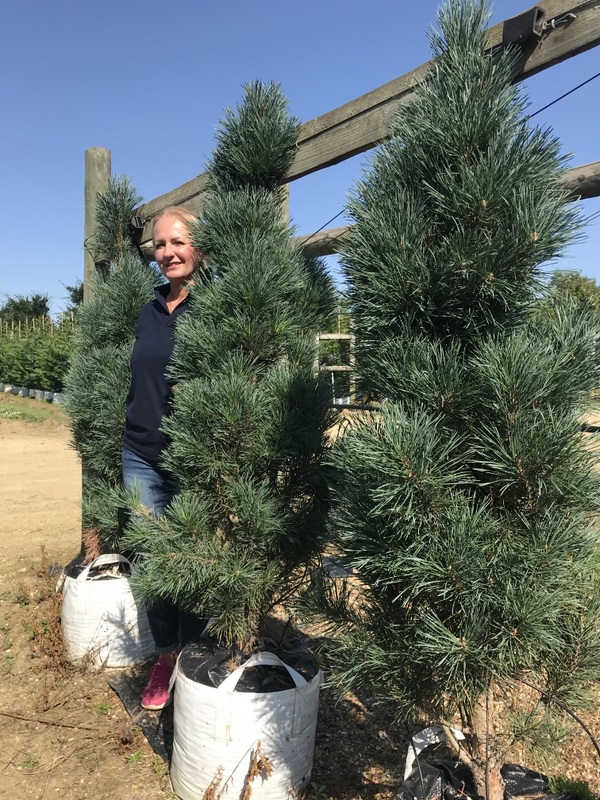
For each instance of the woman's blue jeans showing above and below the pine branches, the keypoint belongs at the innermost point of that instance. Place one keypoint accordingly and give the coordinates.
(156, 489)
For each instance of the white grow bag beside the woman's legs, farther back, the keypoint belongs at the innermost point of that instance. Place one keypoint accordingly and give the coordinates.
(100, 619)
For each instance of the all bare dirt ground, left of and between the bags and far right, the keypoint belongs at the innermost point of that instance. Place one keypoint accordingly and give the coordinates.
(66, 734)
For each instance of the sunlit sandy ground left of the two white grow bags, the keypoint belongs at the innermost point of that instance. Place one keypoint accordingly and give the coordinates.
(64, 733)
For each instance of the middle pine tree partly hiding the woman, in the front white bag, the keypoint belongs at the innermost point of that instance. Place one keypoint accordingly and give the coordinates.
(249, 419)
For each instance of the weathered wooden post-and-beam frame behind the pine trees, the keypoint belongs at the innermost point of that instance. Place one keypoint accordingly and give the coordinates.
(560, 29)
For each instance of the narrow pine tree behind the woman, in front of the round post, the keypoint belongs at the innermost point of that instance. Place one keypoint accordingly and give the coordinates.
(98, 379)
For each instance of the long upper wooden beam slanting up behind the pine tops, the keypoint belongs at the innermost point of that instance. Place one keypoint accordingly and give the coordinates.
(358, 125)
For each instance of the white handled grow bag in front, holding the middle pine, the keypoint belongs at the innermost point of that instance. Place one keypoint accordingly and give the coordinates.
(216, 733)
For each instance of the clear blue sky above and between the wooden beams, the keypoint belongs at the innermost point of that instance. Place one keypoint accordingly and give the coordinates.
(150, 80)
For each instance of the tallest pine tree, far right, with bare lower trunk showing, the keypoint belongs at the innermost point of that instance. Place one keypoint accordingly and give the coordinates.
(465, 504)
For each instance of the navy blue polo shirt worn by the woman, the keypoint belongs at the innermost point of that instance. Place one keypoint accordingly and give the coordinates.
(150, 393)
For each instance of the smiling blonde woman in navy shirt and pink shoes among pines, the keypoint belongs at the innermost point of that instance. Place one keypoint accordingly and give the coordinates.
(148, 401)
